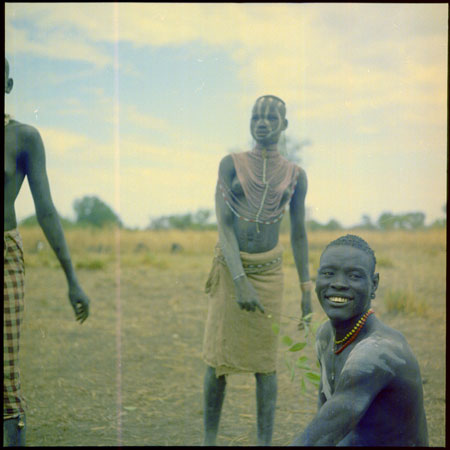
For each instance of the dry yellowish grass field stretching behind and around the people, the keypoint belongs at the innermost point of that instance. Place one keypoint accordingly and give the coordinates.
(132, 374)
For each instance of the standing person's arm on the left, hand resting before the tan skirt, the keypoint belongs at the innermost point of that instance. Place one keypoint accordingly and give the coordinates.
(246, 295)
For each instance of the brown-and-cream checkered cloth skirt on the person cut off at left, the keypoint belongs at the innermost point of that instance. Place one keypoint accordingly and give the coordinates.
(13, 307)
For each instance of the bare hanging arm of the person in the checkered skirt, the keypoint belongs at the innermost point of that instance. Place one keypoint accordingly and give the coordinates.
(48, 219)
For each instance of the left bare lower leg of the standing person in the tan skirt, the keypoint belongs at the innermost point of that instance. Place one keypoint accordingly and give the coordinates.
(213, 394)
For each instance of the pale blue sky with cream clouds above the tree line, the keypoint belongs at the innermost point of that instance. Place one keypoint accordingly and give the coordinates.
(137, 103)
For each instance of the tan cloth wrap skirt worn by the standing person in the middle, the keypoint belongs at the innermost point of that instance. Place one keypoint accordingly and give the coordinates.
(236, 340)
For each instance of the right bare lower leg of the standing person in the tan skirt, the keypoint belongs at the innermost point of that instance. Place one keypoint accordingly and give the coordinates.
(266, 399)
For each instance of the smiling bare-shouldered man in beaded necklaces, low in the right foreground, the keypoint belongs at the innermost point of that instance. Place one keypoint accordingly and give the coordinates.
(371, 389)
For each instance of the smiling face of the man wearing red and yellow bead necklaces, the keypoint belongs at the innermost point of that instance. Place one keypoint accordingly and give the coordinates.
(345, 282)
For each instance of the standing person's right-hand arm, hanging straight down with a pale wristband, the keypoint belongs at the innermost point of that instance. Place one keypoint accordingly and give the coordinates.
(299, 239)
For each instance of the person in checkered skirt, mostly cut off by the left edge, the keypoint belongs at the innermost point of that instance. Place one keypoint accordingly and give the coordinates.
(25, 157)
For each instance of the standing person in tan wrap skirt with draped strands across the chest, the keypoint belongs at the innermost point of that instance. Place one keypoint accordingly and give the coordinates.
(246, 280)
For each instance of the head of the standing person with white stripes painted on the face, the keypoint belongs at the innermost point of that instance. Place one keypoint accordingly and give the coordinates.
(268, 120)
